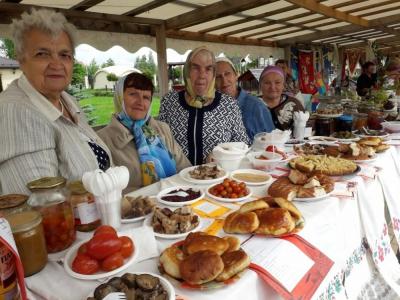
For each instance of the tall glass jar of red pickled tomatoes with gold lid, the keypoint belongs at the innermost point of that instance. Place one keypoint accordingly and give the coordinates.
(51, 198)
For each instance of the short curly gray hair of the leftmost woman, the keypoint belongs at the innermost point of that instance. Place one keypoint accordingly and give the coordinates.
(45, 20)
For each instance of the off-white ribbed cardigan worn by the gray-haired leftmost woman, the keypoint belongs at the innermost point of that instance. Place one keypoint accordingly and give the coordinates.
(36, 140)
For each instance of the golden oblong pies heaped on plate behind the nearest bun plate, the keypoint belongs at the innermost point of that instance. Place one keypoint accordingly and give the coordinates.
(272, 217)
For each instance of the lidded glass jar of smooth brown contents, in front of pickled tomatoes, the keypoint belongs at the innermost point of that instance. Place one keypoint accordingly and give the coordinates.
(28, 234)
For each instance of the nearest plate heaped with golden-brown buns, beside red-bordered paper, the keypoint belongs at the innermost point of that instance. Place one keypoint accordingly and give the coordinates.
(204, 261)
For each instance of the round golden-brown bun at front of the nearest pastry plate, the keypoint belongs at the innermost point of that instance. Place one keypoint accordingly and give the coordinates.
(201, 267)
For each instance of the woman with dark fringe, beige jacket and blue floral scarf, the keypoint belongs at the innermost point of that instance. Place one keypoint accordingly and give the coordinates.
(144, 145)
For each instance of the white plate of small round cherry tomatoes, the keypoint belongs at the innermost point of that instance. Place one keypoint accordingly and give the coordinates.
(229, 191)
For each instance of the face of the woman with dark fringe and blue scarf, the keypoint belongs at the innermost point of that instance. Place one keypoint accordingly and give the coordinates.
(137, 102)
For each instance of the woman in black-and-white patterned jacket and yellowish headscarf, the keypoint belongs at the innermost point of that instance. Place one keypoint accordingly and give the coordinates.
(200, 117)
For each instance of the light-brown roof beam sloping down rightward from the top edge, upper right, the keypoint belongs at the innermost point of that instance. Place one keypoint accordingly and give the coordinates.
(330, 12)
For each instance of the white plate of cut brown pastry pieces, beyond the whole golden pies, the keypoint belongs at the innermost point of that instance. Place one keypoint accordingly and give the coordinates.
(298, 186)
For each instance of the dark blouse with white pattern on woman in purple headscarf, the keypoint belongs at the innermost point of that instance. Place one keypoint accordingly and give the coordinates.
(282, 114)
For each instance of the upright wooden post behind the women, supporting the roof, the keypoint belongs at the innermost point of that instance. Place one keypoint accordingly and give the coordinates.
(161, 46)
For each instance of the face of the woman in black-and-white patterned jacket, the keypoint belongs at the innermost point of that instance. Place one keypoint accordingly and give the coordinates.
(201, 72)
